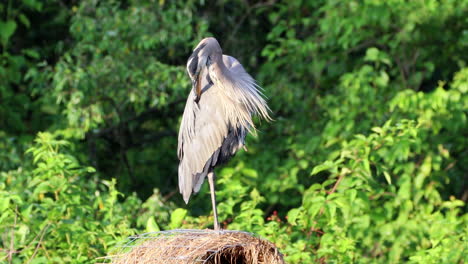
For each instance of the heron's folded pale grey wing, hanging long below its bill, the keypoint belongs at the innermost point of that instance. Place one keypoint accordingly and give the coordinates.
(201, 134)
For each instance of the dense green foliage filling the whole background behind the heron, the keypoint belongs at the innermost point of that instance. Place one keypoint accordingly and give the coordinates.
(365, 162)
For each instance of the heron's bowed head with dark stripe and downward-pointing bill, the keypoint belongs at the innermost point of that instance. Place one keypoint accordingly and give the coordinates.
(202, 57)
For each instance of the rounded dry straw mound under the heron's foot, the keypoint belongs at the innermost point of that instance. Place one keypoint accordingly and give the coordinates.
(196, 246)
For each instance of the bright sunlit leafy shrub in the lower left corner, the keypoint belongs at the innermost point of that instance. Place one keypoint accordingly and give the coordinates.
(48, 211)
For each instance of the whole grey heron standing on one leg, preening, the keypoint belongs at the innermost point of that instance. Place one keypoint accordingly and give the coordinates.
(217, 116)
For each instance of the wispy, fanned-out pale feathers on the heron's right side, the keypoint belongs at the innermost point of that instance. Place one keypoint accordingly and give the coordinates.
(241, 88)
